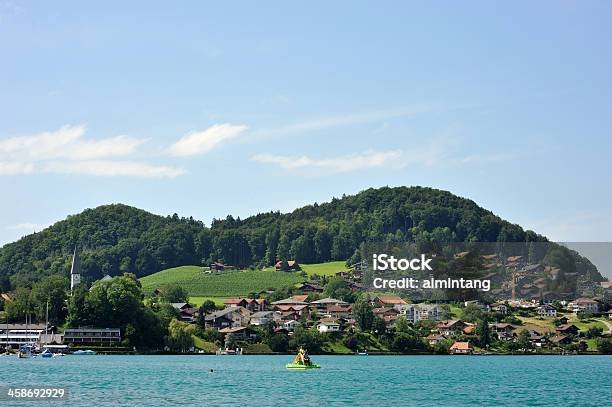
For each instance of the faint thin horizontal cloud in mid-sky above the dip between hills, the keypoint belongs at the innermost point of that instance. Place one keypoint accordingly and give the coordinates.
(344, 163)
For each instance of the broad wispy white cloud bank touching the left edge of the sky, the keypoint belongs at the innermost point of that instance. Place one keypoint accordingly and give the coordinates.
(66, 151)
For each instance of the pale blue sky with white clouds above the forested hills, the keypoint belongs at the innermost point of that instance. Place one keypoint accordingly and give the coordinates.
(206, 109)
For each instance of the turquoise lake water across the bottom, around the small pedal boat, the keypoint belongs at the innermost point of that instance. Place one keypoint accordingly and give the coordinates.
(342, 380)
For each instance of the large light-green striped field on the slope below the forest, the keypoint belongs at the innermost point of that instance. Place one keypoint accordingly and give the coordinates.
(231, 284)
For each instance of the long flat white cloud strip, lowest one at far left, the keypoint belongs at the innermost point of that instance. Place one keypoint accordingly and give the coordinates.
(113, 168)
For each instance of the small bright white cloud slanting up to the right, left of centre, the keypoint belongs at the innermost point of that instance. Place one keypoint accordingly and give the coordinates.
(202, 142)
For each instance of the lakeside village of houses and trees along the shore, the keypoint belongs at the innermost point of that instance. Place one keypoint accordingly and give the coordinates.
(338, 314)
